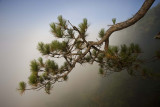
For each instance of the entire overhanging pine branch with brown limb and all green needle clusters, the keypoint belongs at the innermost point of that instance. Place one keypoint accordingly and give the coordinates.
(74, 48)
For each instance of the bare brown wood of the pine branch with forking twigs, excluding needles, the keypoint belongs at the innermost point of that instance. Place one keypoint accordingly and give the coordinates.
(90, 44)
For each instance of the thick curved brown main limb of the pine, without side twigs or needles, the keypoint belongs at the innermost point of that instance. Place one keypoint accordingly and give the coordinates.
(119, 26)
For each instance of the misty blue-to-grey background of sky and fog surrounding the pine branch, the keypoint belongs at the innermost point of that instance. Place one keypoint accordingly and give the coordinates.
(25, 23)
